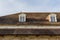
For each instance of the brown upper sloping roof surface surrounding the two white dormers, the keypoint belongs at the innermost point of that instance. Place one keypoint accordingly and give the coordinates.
(33, 18)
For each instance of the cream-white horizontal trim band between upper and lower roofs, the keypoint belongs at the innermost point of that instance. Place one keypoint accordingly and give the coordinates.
(30, 27)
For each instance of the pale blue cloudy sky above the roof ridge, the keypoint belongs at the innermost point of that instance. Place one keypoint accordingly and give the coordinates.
(8, 7)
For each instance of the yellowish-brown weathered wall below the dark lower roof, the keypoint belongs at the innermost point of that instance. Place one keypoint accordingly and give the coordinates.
(29, 37)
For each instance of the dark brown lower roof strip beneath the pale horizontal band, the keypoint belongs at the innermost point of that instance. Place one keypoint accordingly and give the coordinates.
(29, 32)
